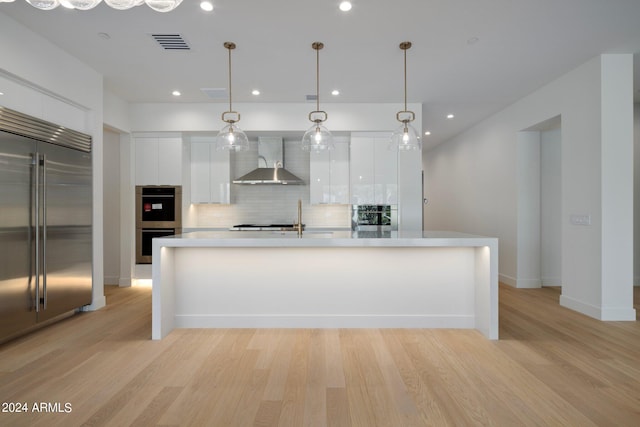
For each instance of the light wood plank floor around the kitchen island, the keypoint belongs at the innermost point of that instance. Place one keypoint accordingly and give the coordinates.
(551, 367)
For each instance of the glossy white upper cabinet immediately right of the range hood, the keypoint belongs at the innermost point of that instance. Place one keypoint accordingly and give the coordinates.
(329, 174)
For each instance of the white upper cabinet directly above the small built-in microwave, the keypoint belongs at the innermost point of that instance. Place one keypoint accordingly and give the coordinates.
(374, 170)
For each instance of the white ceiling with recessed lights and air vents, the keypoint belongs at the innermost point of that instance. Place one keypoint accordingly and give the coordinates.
(521, 45)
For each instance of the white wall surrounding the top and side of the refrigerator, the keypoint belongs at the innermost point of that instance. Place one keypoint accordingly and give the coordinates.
(46, 82)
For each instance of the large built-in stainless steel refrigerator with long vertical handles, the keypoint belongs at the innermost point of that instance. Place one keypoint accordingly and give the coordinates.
(45, 222)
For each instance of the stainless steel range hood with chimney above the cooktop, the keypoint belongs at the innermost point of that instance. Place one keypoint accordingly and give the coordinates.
(270, 165)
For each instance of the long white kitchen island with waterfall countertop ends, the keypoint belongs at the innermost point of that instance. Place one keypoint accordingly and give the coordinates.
(264, 279)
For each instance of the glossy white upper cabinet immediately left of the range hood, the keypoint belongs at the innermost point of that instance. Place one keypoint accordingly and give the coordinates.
(210, 172)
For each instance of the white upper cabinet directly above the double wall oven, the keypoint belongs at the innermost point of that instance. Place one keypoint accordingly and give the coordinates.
(158, 161)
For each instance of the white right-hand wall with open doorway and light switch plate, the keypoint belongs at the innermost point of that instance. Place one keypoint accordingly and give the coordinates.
(471, 182)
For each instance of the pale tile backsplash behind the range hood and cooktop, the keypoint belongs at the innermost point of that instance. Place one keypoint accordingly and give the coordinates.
(269, 204)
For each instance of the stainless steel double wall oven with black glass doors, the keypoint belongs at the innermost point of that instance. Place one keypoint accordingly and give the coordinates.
(158, 214)
